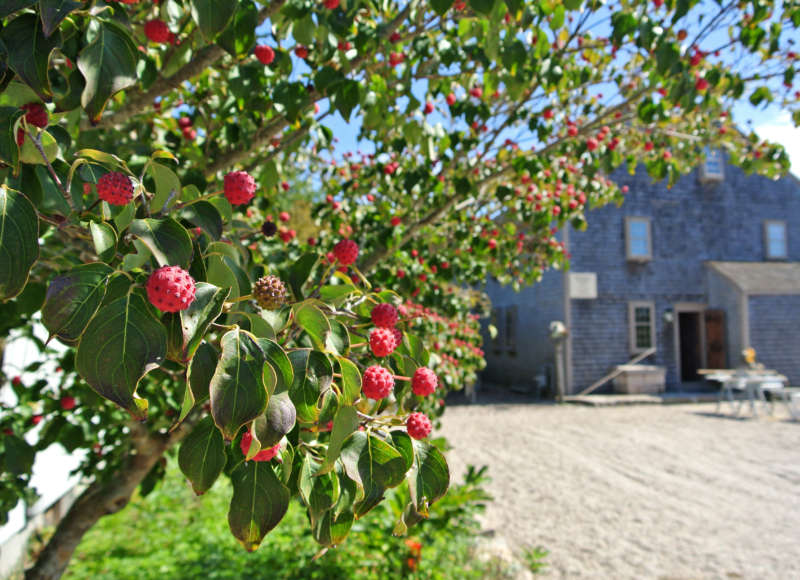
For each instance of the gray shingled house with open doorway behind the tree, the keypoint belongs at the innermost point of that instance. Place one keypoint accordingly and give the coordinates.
(697, 272)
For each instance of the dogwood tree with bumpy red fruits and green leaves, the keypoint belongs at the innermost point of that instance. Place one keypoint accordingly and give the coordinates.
(255, 225)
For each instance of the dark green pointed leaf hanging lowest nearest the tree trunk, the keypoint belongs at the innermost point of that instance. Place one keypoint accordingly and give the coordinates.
(202, 456)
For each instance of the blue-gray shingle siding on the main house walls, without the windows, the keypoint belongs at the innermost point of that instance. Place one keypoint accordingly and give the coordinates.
(691, 223)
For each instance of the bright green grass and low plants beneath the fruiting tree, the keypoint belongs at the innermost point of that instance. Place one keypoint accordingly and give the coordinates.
(174, 534)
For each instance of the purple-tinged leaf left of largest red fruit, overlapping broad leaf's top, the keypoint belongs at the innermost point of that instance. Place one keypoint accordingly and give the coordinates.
(73, 298)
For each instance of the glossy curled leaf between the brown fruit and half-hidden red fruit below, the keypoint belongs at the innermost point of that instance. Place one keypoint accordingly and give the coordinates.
(238, 393)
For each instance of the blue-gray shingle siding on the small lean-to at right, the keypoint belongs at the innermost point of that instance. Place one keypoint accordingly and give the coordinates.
(775, 333)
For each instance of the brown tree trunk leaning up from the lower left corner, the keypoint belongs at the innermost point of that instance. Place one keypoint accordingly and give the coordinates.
(101, 499)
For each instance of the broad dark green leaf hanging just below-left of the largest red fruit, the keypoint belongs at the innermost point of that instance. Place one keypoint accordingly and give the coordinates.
(122, 343)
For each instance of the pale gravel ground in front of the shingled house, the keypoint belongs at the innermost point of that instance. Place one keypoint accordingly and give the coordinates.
(651, 491)
